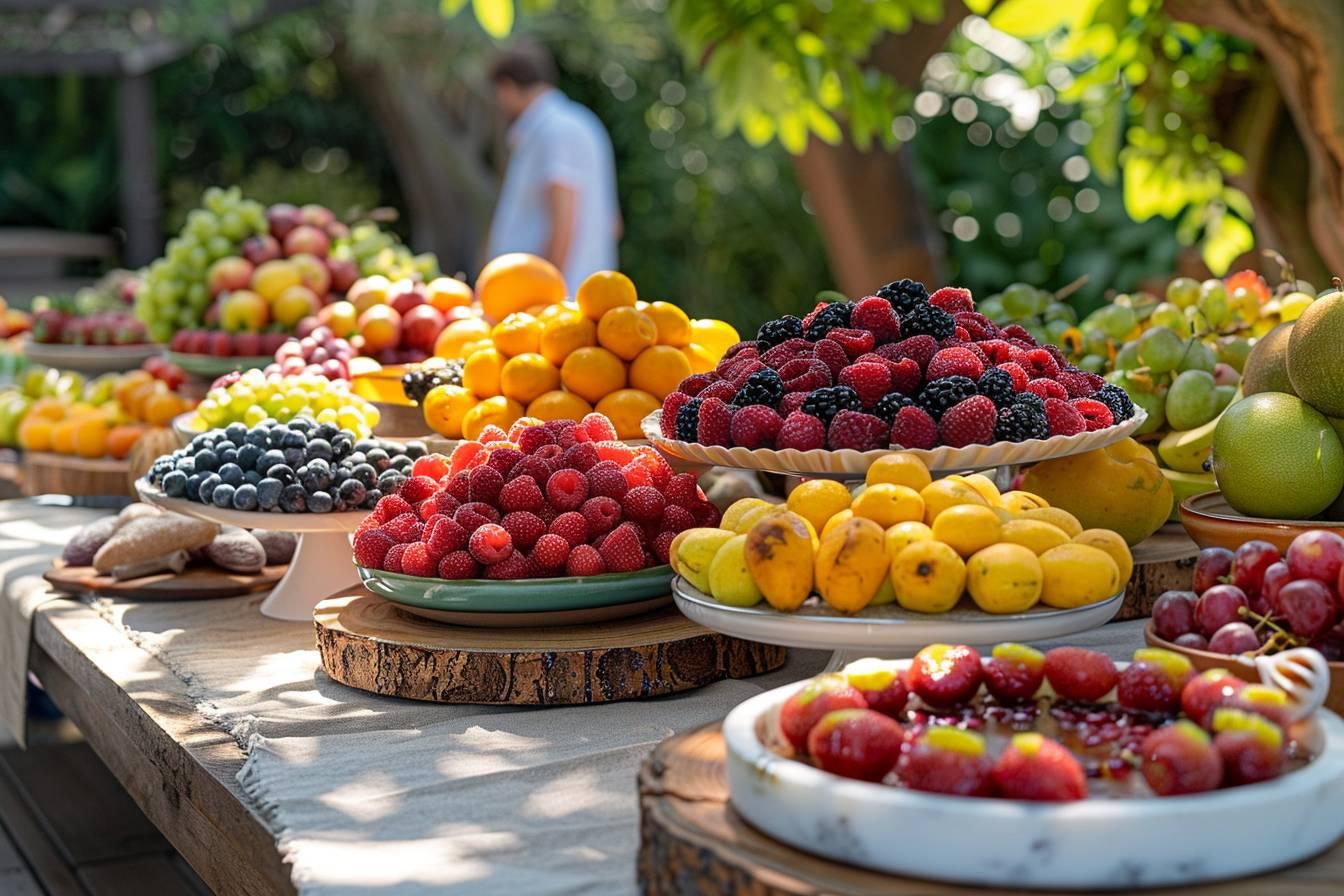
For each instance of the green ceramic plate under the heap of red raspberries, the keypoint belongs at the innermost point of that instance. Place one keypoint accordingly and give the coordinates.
(528, 596)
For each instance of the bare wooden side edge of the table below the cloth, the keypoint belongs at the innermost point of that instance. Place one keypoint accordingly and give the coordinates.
(178, 766)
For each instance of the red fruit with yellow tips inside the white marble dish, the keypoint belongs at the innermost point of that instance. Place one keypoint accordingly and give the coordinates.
(928, 727)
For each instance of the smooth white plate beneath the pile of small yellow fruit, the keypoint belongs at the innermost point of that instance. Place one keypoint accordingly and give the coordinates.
(886, 628)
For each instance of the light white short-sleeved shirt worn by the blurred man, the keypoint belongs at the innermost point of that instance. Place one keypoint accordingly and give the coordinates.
(557, 140)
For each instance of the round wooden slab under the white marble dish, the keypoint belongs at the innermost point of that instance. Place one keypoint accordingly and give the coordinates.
(691, 842)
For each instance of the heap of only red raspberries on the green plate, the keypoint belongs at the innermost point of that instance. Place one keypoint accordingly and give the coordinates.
(542, 500)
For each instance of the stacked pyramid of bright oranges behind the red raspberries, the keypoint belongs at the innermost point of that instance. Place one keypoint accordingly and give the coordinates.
(607, 353)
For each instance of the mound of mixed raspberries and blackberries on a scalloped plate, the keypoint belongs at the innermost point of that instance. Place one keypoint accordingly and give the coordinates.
(900, 369)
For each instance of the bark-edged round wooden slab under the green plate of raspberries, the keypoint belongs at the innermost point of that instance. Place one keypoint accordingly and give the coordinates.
(370, 644)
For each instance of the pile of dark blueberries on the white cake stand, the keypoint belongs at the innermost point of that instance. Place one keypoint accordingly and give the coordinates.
(300, 467)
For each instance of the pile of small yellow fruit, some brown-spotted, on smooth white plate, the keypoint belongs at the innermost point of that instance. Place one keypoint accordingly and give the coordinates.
(904, 539)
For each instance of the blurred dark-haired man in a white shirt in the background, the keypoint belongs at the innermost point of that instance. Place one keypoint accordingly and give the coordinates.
(560, 189)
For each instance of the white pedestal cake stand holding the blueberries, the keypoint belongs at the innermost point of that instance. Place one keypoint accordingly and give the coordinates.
(322, 566)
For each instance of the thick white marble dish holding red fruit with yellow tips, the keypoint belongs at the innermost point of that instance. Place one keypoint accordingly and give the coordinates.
(1093, 844)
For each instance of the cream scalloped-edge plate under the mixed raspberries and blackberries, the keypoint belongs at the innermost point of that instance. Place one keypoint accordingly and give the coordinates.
(849, 464)
